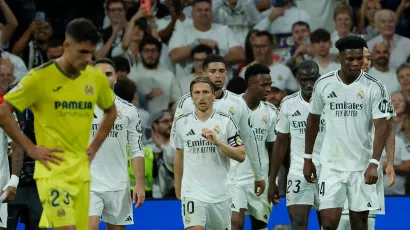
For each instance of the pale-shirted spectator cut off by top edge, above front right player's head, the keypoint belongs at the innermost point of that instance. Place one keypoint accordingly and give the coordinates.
(320, 11)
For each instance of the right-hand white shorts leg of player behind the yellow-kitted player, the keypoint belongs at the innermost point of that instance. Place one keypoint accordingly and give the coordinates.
(117, 207)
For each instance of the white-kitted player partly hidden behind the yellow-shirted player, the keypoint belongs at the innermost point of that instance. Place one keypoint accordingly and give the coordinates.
(110, 193)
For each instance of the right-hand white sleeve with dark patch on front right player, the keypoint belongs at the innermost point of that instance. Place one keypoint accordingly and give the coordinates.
(380, 103)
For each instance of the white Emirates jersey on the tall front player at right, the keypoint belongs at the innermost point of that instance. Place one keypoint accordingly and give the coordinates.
(349, 113)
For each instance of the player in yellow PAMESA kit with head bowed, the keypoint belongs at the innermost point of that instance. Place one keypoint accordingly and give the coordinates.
(62, 95)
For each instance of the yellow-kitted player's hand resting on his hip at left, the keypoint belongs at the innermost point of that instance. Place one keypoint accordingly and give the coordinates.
(45, 155)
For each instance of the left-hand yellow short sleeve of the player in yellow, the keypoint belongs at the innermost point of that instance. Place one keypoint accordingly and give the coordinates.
(25, 93)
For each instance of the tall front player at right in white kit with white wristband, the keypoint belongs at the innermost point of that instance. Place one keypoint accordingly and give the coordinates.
(351, 101)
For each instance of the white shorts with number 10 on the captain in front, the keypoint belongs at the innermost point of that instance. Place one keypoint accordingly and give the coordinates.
(215, 216)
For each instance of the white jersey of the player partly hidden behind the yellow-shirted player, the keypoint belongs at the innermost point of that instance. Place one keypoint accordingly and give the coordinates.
(109, 169)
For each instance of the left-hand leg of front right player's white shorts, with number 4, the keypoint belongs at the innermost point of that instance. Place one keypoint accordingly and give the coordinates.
(332, 189)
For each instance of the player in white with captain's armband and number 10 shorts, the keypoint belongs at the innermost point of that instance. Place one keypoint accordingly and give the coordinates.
(205, 141)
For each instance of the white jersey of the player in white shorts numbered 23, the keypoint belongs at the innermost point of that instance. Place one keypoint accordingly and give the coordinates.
(293, 114)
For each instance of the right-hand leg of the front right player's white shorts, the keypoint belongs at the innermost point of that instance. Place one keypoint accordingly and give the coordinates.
(361, 196)
